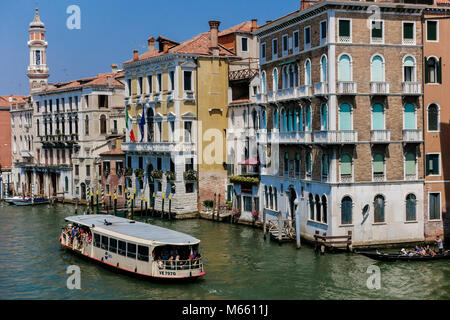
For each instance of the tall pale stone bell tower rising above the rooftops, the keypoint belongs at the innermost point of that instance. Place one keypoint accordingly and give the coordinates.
(37, 69)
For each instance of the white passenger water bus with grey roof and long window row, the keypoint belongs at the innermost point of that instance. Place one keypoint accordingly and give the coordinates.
(133, 246)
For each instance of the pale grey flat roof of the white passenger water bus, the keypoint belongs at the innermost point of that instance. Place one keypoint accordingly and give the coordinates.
(130, 228)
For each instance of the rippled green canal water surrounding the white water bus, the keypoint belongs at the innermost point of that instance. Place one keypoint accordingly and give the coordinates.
(238, 262)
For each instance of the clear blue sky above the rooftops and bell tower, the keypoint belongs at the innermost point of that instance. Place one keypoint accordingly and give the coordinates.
(110, 30)
